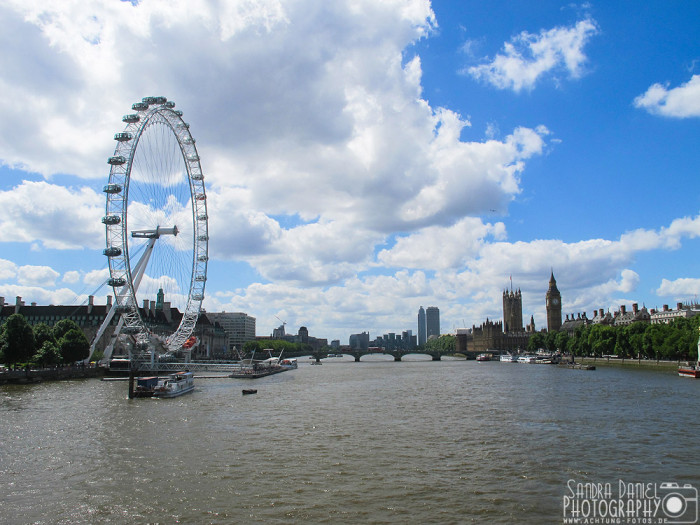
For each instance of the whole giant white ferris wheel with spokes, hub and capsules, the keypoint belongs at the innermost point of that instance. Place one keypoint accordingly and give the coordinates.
(156, 225)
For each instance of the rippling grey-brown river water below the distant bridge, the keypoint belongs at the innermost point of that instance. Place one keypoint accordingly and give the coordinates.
(369, 442)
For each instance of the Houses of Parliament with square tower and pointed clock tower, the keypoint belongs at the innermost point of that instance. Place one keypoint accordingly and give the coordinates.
(510, 335)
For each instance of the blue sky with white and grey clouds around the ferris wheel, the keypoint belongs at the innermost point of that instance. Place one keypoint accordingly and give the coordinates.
(365, 158)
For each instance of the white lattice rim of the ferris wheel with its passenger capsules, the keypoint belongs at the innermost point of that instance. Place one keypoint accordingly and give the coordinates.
(148, 112)
